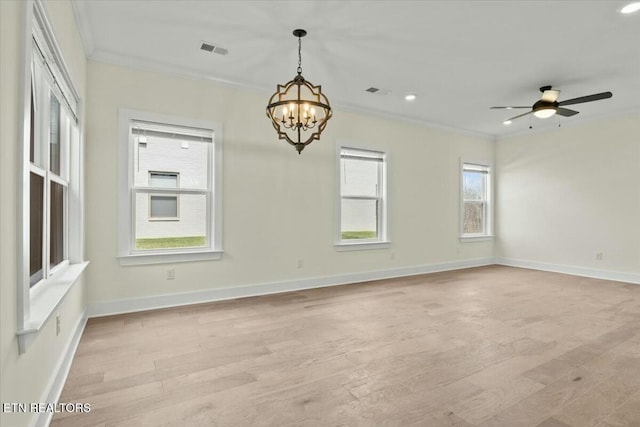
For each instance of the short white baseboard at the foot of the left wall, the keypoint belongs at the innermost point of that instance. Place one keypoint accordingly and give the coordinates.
(54, 389)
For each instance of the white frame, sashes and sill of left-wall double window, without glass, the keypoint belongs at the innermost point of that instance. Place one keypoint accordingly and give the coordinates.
(49, 77)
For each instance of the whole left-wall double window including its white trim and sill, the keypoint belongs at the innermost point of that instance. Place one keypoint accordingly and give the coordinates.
(51, 233)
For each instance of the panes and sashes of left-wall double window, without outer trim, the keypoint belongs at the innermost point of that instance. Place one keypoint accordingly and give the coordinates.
(52, 130)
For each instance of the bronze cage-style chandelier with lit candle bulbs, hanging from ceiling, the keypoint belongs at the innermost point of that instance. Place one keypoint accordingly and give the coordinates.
(298, 110)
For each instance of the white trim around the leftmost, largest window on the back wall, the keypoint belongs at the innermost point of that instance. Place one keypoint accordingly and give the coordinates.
(125, 210)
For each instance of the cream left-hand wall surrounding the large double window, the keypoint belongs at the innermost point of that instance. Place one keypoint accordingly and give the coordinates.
(27, 377)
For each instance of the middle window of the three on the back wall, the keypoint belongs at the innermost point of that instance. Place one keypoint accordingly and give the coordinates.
(362, 204)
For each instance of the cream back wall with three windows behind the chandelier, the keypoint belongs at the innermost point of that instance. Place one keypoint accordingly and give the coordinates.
(278, 205)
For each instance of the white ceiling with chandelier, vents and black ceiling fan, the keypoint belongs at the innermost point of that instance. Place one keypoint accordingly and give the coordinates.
(459, 57)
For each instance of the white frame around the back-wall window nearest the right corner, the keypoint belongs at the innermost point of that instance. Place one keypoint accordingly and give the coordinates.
(486, 168)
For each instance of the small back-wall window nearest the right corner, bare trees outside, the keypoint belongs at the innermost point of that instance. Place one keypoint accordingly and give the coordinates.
(476, 200)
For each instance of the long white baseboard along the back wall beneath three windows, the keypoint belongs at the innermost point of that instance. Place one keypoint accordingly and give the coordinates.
(173, 300)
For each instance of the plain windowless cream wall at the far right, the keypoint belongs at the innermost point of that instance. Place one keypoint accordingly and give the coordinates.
(568, 194)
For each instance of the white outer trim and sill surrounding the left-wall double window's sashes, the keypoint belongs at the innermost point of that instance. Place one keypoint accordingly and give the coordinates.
(36, 304)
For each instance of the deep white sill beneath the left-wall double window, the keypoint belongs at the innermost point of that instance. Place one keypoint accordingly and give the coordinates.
(45, 300)
